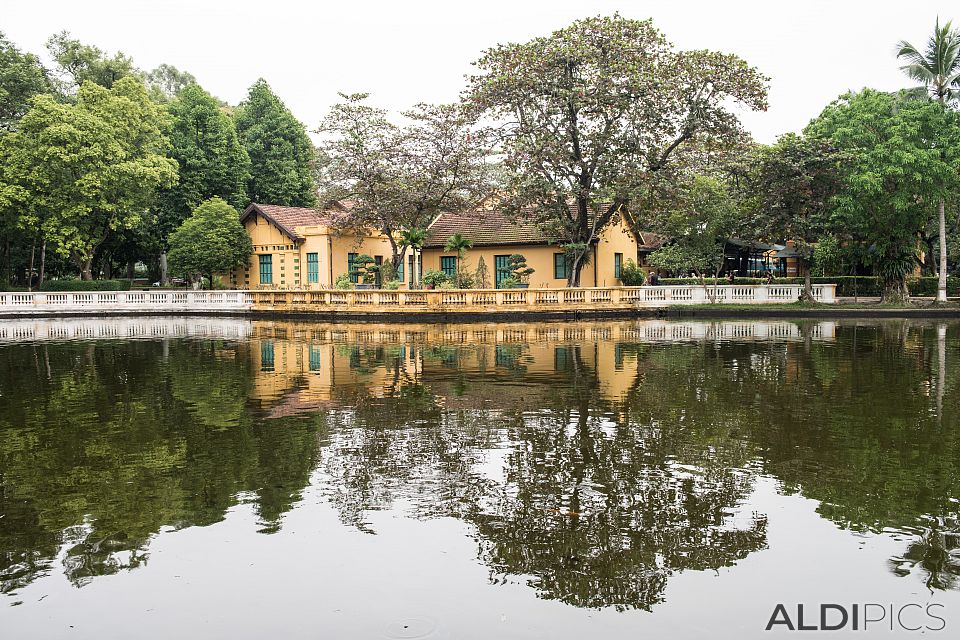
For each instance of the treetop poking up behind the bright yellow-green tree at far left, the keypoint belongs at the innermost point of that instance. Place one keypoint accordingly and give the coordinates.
(78, 63)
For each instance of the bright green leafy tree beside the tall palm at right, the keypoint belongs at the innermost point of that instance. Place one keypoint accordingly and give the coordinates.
(900, 156)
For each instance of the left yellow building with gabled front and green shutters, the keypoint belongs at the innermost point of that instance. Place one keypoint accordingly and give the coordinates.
(299, 248)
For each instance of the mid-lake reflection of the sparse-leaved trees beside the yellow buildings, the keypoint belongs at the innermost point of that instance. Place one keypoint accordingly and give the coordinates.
(596, 512)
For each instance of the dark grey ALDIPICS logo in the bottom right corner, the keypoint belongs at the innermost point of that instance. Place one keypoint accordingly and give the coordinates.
(868, 616)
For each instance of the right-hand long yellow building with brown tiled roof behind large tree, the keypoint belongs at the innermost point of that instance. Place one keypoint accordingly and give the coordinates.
(495, 237)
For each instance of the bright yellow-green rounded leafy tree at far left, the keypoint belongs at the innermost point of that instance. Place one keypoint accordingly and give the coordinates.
(79, 172)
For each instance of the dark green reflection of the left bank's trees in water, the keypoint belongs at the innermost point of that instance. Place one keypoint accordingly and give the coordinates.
(110, 442)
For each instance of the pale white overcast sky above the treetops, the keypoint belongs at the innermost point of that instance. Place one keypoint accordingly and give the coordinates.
(403, 52)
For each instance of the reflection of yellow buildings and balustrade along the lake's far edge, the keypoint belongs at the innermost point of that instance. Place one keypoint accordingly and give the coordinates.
(301, 367)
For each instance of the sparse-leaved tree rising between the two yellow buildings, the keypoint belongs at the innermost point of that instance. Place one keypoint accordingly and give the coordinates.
(401, 178)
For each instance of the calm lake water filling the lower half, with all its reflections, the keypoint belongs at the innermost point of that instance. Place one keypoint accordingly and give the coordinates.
(227, 478)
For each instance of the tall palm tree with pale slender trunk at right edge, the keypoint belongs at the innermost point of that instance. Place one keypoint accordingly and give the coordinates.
(937, 67)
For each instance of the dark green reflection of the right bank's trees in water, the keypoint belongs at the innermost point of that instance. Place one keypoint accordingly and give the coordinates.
(852, 424)
